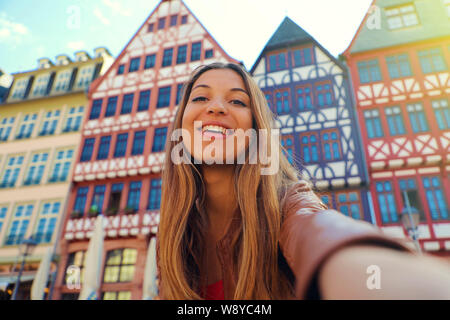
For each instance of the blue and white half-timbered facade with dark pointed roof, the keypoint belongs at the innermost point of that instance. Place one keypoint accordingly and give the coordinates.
(309, 92)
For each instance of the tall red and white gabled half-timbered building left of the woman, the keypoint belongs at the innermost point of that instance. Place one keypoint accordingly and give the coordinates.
(118, 169)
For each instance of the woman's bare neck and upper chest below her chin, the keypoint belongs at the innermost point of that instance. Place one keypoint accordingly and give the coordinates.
(221, 201)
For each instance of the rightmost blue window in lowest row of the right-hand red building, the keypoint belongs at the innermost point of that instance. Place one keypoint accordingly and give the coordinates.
(435, 198)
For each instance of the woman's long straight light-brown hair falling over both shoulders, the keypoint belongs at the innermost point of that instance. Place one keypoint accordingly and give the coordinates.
(181, 228)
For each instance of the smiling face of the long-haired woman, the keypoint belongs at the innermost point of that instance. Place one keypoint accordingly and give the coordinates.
(221, 103)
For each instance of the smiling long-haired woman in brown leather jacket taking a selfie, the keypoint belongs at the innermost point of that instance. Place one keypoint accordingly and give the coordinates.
(229, 232)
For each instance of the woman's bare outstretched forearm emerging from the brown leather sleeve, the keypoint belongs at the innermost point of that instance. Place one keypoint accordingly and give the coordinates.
(351, 273)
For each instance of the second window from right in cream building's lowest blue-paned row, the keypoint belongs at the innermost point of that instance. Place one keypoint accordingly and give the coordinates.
(19, 224)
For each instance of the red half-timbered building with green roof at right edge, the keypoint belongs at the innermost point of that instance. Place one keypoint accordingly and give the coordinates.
(399, 63)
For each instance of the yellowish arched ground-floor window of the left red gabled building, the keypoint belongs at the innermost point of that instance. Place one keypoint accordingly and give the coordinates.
(119, 266)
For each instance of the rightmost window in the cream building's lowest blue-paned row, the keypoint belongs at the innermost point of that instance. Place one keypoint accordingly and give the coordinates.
(47, 221)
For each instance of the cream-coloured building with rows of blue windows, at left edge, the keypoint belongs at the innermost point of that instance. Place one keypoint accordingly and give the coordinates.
(40, 123)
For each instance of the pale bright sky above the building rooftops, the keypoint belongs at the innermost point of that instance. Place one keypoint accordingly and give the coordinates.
(31, 29)
